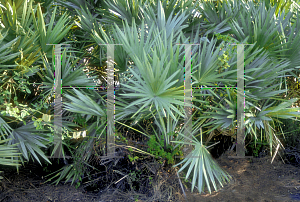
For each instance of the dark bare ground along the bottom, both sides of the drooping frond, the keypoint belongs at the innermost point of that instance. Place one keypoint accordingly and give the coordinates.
(253, 180)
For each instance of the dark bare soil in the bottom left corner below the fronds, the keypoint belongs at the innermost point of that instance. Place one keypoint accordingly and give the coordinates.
(29, 186)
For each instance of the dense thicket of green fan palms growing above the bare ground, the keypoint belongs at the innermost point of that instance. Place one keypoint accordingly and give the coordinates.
(149, 75)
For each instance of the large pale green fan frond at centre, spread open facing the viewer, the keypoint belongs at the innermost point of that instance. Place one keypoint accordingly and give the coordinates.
(150, 87)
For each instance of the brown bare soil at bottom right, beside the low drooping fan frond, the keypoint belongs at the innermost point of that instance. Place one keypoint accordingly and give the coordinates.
(255, 180)
